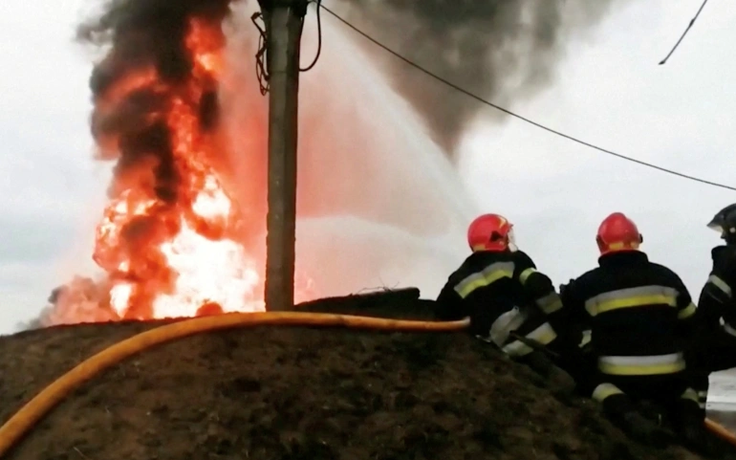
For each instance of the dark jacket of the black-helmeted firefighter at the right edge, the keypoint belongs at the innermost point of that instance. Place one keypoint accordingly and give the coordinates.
(717, 297)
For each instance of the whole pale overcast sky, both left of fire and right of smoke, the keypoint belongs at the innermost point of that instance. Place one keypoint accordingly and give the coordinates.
(609, 91)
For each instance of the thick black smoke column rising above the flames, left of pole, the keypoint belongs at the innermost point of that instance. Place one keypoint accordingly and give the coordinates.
(141, 34)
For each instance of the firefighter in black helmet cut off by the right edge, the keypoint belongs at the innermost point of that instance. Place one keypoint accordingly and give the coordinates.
(715, 347)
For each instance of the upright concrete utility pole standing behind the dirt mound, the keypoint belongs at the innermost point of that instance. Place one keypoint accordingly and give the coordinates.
(283, 21)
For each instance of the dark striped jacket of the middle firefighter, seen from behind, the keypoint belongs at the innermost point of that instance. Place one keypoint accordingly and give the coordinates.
(640, 314)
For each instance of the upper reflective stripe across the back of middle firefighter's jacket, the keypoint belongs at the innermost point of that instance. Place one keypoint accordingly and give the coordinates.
(631, 297)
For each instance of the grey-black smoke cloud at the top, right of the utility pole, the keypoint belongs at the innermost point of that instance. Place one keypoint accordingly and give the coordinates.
(503, 50)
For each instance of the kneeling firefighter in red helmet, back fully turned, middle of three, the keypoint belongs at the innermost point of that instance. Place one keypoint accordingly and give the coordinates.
(640, 314)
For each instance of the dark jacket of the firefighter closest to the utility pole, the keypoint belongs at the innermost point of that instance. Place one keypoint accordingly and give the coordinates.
(489, 284)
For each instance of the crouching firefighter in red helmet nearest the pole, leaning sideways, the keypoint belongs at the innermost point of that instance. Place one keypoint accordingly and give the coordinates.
(509, 302)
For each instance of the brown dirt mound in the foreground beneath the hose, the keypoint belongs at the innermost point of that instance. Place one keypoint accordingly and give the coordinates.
(301, 393)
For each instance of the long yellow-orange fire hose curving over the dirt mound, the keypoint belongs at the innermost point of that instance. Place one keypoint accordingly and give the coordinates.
(20, 423)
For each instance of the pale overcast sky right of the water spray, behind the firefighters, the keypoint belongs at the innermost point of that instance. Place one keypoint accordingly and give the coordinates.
(612, 93)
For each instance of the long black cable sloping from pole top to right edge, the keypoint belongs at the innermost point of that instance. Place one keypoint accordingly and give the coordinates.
(520, 117)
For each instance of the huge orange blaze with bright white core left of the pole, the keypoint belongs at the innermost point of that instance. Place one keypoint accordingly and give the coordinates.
(170, 240)
